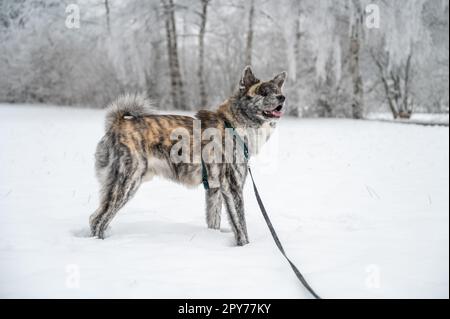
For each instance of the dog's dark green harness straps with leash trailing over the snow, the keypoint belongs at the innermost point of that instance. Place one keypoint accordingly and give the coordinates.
(263, 211)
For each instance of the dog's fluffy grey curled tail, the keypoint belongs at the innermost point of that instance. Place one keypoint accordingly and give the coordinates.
(127, 107)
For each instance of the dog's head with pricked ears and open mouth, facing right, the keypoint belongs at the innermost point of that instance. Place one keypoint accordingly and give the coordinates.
(260, 101)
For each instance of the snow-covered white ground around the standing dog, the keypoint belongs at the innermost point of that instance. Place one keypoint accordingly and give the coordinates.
(361, 207)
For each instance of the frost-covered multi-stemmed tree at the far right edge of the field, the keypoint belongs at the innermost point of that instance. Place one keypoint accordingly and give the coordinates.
(402, 49)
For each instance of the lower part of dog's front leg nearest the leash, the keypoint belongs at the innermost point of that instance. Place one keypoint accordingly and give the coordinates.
(234, 202)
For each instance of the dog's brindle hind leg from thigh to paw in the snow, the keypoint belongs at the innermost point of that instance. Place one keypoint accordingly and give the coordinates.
(120, 181)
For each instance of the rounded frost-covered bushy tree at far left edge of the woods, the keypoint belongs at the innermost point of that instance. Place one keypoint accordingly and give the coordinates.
(43, 61)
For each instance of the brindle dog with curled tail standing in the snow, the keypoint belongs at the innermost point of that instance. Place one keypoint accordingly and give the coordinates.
(140, 144)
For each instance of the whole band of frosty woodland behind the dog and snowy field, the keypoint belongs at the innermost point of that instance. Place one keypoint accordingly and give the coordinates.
(189, 54)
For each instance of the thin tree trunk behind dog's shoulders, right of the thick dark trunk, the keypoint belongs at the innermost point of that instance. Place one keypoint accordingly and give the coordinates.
(201, 54)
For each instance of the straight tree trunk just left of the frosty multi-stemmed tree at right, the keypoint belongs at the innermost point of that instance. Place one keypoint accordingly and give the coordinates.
(355, 58)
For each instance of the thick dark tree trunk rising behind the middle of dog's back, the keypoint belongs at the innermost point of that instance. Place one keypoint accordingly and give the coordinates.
(177, 89)
